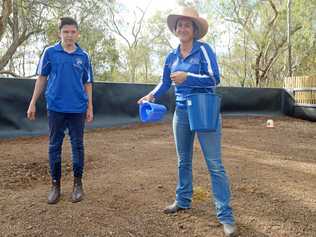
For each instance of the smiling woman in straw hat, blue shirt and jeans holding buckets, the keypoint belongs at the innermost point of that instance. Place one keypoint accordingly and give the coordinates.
(192, 68)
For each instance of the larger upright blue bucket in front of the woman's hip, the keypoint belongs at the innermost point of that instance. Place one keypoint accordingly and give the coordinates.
(203, 111)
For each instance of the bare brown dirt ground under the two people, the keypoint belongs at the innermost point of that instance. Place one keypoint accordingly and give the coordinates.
(131, 173)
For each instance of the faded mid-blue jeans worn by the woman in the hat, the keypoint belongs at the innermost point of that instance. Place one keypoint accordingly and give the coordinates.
(211, 147)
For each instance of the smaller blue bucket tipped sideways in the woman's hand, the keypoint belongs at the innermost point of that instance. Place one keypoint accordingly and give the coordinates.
(151, 112)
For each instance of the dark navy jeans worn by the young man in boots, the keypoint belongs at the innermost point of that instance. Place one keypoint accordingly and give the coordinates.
(58, 122)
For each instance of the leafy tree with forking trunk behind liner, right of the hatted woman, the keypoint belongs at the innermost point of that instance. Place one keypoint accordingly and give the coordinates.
(263, 23)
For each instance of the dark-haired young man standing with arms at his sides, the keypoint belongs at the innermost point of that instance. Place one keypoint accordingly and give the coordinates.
(66, 69)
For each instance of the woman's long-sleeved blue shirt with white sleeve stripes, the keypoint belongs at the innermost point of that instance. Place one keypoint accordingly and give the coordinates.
(202, 72)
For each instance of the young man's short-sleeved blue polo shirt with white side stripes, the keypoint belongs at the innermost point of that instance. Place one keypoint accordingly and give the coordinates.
(66, 75)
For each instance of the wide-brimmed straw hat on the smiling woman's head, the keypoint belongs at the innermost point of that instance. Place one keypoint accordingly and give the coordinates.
(193, 15)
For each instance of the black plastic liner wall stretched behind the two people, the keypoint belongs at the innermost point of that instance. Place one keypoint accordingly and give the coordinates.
(115, 104)
